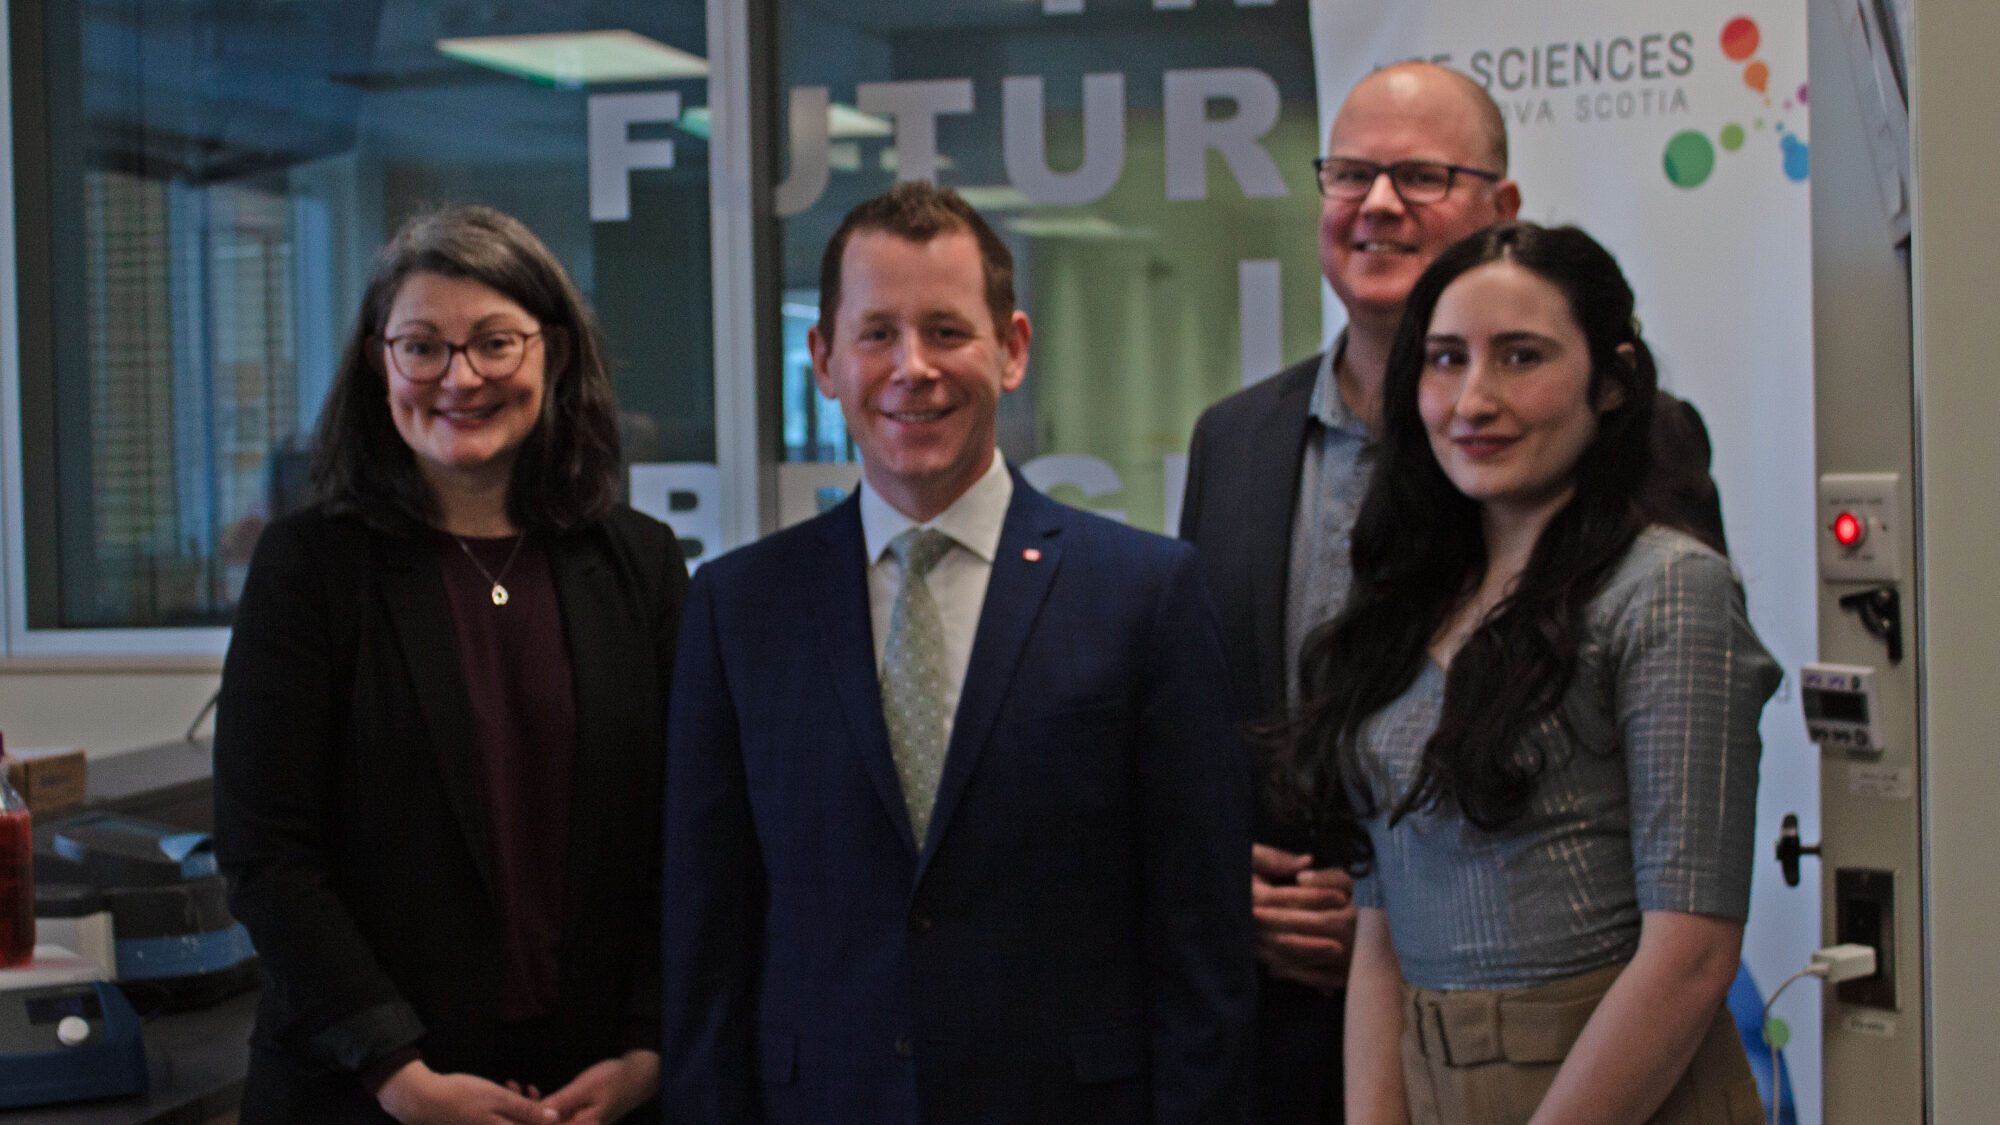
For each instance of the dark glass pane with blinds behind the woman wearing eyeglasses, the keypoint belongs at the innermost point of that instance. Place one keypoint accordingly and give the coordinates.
(199, 195)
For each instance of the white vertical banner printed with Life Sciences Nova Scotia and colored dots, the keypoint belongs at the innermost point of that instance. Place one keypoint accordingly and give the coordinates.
(1679, 137)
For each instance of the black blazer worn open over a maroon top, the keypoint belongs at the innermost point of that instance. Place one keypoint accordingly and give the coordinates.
(351, 814)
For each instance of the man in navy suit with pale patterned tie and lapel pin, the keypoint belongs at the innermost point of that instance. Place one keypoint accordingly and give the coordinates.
(959, 822)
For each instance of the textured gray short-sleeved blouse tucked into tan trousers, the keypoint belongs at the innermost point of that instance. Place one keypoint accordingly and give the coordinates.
(1649, 800)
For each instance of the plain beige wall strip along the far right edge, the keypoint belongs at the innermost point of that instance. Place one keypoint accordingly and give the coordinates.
(1957, 177)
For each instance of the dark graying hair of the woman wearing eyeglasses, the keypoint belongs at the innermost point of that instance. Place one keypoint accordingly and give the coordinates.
(567, 471)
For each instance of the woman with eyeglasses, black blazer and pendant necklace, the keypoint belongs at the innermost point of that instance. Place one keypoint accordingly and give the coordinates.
(443, 718)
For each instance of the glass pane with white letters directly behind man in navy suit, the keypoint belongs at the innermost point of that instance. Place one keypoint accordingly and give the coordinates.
(1147, 161)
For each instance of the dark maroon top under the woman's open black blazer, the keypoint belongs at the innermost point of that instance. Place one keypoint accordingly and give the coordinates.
(517, 670)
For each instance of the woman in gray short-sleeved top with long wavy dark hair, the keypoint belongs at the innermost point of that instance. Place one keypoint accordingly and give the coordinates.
(1535, 726)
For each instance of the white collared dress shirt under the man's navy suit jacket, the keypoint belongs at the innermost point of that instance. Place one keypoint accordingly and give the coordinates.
(959, 580)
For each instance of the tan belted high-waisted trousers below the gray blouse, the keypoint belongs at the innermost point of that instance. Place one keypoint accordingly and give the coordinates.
(1489, 1058)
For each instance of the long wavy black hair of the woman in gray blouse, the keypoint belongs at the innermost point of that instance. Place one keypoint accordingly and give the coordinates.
(1421, 553)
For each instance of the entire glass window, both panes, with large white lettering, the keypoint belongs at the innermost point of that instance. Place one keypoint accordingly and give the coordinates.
(201, 185)
